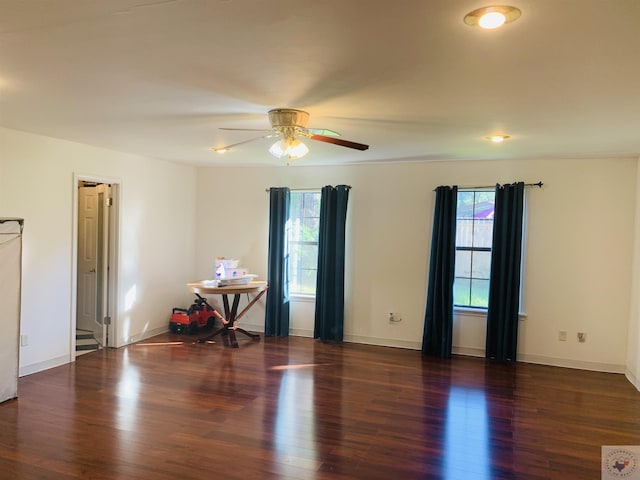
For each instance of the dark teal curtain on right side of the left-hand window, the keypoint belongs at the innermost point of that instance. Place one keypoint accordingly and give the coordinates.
(329, 319)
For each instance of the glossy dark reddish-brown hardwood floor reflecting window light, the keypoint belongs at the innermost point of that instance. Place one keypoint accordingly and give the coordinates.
(295, 408)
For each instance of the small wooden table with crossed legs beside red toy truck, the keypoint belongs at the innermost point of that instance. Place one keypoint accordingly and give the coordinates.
(231, 315)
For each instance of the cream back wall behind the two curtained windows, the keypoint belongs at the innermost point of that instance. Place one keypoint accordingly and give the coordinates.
(578, 269)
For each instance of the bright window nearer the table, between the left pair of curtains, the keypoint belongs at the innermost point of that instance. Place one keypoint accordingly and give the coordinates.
(304, 214)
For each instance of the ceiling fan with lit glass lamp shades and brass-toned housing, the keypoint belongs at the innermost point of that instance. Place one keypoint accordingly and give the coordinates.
(289, 125)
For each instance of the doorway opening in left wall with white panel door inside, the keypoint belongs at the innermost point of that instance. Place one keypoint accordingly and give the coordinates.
(95, 273)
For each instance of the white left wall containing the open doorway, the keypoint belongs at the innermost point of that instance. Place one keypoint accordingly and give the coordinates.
(157, 231)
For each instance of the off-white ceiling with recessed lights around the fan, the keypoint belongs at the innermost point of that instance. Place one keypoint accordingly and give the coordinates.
(409, 78)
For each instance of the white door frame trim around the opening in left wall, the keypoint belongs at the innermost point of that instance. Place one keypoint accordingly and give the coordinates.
(113, 254)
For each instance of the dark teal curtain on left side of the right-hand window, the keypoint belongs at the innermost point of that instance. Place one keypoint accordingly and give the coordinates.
(438, 322)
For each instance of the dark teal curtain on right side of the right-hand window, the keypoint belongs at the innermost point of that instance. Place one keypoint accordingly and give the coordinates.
(504, 289)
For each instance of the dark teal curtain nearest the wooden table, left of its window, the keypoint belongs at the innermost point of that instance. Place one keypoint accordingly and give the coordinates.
(277, 307)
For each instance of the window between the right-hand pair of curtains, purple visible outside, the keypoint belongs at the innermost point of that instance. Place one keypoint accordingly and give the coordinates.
(474, 236)
